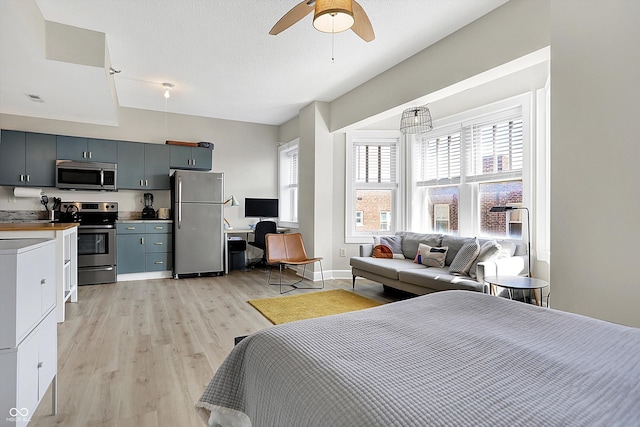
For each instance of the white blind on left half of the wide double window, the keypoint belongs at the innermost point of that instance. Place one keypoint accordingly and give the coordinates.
(438, 160)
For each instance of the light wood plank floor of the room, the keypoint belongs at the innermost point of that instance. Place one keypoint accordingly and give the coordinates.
(141, 353)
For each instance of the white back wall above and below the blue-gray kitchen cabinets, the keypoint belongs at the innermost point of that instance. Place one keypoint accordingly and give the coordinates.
(245, 152)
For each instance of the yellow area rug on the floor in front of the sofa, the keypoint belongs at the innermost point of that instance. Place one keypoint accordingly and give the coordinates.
(307, 306)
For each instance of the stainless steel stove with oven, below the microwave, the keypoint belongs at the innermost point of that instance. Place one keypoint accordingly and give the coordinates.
(96, 239)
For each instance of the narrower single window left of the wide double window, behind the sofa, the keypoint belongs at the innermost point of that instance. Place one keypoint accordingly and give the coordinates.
(372, 184)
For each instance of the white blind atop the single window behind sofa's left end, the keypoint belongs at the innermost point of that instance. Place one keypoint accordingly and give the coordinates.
(374, 163)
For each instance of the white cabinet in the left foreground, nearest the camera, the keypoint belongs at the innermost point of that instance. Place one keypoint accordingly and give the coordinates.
(28, 336)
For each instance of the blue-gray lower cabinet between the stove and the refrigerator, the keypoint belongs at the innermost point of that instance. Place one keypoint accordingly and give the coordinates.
(144, 247)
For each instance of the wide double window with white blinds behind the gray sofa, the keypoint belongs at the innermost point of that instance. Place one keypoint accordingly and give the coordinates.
(461, 170)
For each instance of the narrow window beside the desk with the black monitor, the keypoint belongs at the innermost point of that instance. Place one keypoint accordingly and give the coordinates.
(288, 183)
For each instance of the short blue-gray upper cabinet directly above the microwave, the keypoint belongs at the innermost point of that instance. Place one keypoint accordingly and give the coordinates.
(87, 149)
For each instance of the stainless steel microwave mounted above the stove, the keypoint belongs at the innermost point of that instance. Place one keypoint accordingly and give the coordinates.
(72, 175)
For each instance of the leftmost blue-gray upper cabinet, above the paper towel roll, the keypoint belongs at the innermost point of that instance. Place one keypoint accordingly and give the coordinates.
(27, 159)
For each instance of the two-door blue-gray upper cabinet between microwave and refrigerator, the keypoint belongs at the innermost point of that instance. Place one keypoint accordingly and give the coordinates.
(143, 166)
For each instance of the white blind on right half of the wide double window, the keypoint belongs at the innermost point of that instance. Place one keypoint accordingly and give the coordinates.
(495, 149)
